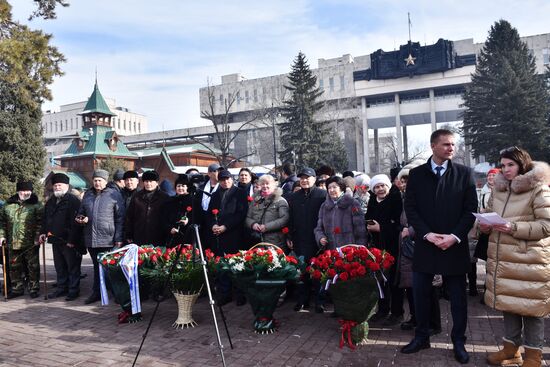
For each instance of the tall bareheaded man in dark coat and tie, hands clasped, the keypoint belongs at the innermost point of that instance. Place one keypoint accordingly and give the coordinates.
(441, 197)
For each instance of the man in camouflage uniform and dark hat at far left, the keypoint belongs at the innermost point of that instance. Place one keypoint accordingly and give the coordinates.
(19, 224)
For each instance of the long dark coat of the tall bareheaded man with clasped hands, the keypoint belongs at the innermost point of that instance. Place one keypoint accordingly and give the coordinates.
(444, 206)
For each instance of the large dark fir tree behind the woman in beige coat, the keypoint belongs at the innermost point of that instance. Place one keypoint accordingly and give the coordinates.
(507, 101)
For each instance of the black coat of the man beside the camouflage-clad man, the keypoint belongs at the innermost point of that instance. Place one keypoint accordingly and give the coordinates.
(59, 215)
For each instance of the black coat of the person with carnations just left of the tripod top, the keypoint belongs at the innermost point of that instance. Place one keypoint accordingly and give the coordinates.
(174, 209)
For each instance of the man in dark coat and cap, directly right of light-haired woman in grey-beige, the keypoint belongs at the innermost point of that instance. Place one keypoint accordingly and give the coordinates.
(304, 208)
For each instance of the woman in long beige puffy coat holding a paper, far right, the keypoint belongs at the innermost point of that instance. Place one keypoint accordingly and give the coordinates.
(518, 263)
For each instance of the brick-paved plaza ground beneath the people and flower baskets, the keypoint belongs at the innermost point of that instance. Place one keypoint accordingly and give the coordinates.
(59, 333)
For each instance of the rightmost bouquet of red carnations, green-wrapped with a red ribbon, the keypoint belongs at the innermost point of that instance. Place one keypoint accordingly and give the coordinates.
(351, 274)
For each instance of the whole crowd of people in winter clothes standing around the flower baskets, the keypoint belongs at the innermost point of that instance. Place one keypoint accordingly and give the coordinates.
(422, 214)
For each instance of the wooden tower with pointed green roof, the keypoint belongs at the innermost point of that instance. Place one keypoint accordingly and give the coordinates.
(97, 141)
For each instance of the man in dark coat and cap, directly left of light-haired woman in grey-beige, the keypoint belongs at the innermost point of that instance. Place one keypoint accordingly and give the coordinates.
(226, 215)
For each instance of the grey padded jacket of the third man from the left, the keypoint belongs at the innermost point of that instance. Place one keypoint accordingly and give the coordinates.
(105, 211)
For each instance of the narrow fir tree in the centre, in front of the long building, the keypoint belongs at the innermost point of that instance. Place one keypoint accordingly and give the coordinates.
(305, 141)
